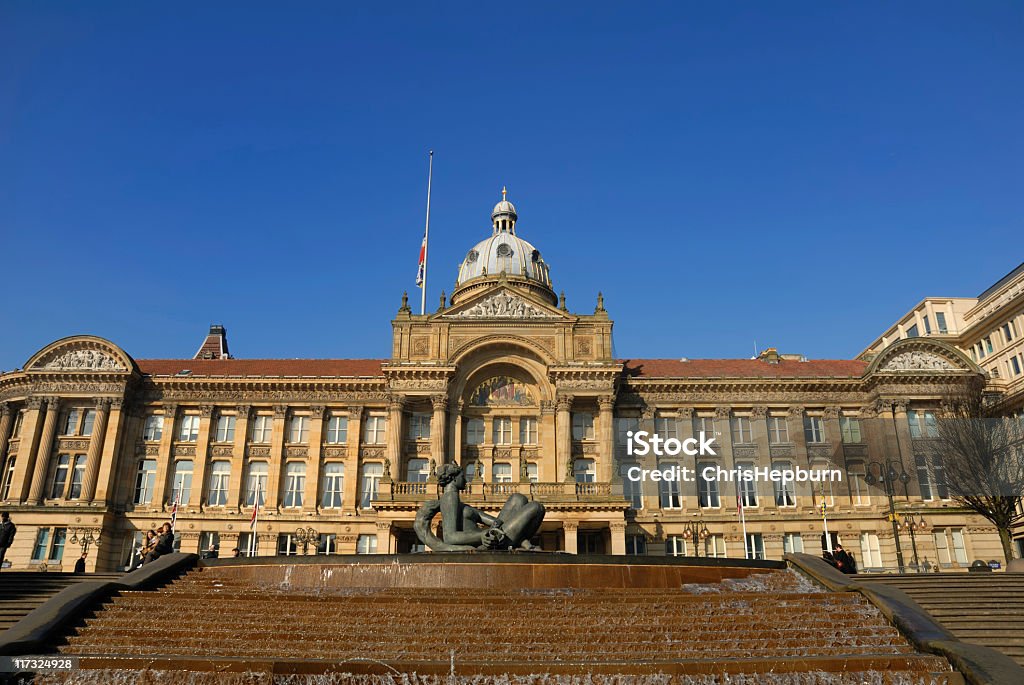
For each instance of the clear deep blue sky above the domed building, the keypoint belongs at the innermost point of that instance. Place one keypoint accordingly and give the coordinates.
(799, 174)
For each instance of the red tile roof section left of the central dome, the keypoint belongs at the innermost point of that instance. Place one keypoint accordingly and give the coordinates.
(273, 368)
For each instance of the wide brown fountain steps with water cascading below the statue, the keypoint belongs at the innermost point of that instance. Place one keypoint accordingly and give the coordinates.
(771, 628)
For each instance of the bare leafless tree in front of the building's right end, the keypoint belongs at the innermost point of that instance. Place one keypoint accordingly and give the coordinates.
(983, 460)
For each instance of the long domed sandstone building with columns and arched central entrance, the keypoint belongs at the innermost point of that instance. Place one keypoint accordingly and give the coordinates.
(99, 447)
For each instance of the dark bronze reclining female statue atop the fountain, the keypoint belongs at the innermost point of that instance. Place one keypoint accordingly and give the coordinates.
(466, 528)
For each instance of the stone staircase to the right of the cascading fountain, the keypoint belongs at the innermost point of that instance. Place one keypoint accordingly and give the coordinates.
(979, 609)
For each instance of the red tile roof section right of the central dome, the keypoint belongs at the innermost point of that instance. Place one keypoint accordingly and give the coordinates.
(744, 369)
